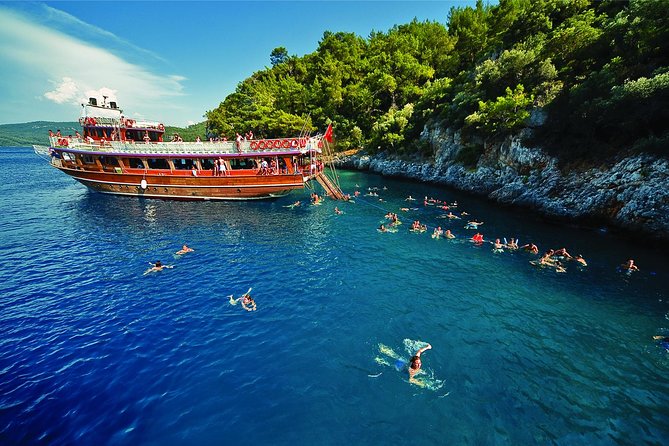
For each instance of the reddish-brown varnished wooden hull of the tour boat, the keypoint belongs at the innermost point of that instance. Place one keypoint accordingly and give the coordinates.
(181, 187)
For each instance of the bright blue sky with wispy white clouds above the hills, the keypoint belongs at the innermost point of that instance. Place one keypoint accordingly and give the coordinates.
(169, 61)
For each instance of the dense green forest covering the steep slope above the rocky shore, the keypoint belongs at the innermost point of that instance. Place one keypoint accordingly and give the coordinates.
(597, 71)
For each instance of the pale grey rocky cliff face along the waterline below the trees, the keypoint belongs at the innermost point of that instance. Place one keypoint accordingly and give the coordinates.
(631, 194)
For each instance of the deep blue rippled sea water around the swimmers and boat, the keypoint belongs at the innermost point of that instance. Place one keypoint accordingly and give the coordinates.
(94, 352)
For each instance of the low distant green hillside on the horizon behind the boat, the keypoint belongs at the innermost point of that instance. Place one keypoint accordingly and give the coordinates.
(37, 132)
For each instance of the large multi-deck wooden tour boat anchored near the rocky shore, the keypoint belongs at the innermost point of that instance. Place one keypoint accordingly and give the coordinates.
(121, 156)
